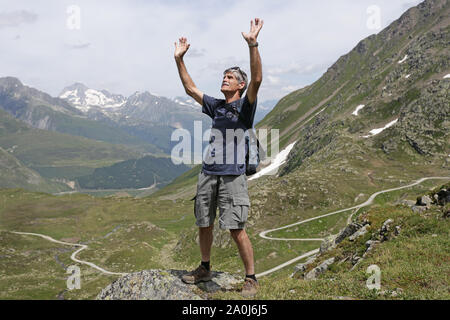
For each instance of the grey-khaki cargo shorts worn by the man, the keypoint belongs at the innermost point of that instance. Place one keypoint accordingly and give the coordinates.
(227, 192)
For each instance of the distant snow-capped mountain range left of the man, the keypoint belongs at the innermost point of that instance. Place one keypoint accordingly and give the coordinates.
(144, 115)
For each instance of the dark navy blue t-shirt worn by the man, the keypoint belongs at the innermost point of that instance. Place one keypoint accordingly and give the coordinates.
(224, 118)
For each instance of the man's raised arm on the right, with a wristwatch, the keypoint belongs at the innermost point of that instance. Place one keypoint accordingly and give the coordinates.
(255, 59)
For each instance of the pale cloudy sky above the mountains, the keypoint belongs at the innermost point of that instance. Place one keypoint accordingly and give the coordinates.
(128, 46)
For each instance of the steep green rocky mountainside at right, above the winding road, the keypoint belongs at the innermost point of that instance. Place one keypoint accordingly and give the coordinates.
(396, 76)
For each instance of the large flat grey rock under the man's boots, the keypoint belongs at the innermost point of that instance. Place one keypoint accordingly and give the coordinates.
(162, 285)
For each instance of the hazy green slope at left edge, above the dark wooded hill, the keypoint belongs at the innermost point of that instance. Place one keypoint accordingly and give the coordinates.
(57, 155)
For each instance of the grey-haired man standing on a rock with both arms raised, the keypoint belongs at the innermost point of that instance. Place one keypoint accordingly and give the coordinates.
(223, 183)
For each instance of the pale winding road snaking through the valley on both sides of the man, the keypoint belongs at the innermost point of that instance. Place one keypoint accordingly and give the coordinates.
(263, 234)
